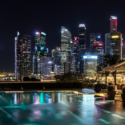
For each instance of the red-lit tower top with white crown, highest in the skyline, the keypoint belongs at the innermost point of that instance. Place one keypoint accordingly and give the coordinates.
(113, 24)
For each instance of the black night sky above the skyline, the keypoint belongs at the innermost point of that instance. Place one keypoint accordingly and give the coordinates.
(48, 16)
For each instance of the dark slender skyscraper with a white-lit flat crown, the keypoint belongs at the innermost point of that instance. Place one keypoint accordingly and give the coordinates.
(82, 45)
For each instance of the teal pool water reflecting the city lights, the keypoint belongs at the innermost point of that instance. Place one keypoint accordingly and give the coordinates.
(56, 108)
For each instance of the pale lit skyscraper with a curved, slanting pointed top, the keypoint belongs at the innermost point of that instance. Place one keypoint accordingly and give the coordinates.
(65, 47)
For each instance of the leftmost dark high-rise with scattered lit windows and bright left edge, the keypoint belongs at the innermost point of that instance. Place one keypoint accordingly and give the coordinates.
(23, 62)
